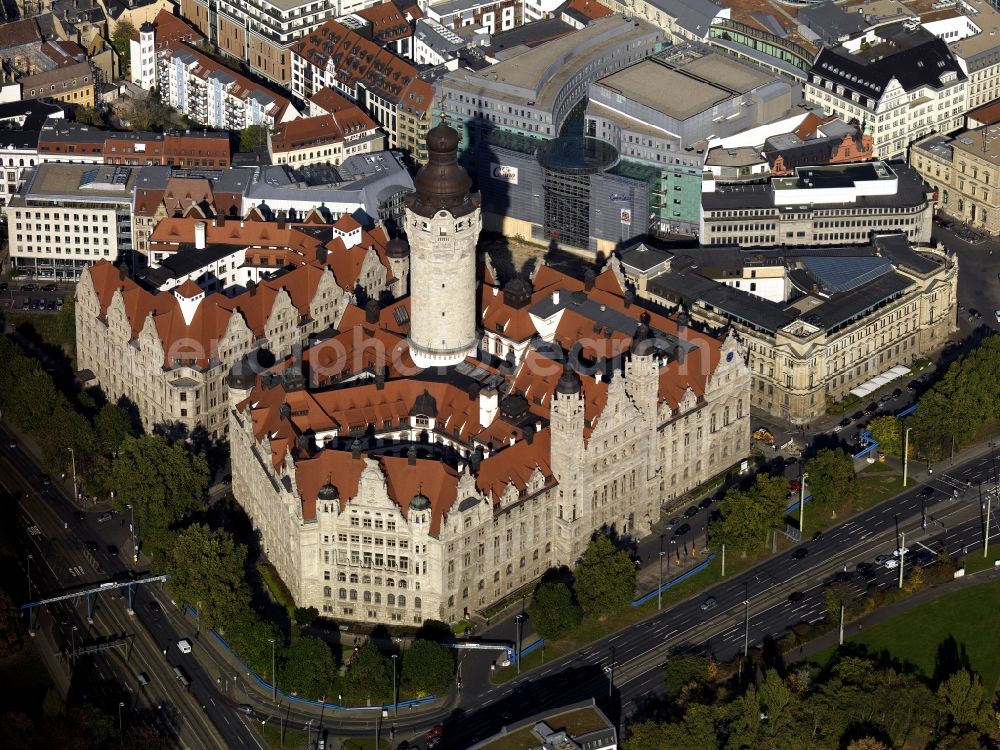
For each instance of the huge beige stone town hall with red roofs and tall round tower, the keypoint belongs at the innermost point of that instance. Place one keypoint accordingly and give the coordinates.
(386, 493)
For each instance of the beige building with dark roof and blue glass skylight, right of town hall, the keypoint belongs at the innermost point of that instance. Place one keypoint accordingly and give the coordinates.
(816, 322)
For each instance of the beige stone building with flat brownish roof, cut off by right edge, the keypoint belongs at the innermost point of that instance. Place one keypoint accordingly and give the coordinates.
(965, 174)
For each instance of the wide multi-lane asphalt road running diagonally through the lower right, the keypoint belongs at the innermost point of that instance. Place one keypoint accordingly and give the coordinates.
(637, 654)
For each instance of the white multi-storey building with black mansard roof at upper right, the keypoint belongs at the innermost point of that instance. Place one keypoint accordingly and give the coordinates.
(898, 80)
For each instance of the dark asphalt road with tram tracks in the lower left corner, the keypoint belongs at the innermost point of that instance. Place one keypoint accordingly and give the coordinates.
(200, 716)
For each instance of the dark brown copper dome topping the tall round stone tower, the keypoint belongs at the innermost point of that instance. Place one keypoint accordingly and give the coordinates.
(442, 183)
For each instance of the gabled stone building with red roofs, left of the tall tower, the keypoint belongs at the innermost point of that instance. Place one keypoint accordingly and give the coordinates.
(168, 344)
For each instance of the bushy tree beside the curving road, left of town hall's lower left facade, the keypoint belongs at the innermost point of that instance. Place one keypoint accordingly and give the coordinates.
(206, 571)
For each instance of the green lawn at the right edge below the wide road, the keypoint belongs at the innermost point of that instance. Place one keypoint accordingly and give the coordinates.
(970, 616)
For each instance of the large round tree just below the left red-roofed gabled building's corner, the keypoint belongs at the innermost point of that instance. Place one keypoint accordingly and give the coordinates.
(163, 481)
